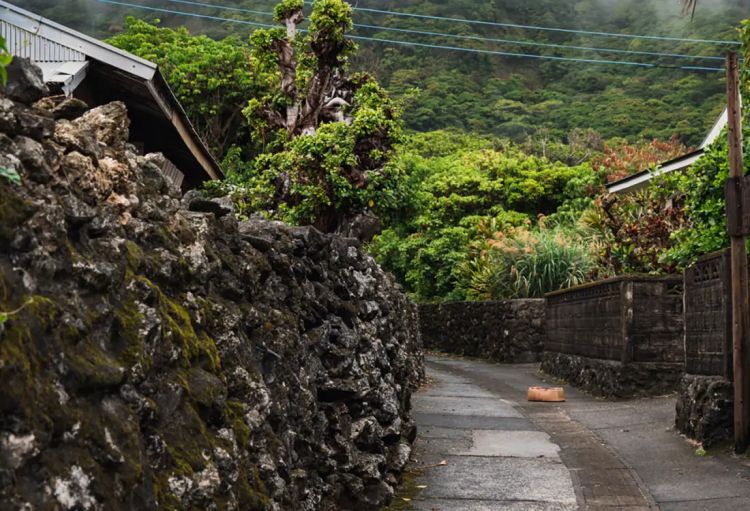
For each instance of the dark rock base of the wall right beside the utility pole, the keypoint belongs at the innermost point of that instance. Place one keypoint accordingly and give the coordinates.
(705, 408)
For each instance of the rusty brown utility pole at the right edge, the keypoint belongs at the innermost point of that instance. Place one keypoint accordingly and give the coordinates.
(738, 223)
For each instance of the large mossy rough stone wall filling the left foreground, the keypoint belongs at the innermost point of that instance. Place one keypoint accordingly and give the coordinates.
(155, 357)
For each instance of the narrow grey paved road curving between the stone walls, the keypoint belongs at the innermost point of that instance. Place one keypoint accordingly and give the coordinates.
(482, 446)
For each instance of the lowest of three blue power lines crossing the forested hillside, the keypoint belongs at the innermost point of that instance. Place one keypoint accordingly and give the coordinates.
(425, 45)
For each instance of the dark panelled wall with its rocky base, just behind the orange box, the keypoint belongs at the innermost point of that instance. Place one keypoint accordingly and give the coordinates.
(619, 337)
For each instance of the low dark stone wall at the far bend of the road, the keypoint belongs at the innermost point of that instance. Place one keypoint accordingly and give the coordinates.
(504, 331)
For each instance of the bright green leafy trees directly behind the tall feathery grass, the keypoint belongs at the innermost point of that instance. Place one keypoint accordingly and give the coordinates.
(457, 186)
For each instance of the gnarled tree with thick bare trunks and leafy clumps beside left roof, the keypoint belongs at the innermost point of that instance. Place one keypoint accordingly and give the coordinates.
(329, 137)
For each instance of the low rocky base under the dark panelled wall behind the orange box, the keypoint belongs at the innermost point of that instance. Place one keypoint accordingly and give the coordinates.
(608, 378)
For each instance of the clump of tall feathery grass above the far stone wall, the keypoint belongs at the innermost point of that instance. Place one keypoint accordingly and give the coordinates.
(528, 264)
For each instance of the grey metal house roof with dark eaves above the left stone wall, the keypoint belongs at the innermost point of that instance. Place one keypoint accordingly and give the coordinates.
(67, 57)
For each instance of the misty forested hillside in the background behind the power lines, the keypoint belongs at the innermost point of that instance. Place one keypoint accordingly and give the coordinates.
(503, 96)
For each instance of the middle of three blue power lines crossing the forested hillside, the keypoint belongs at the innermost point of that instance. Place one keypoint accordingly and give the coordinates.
(475, 38)
